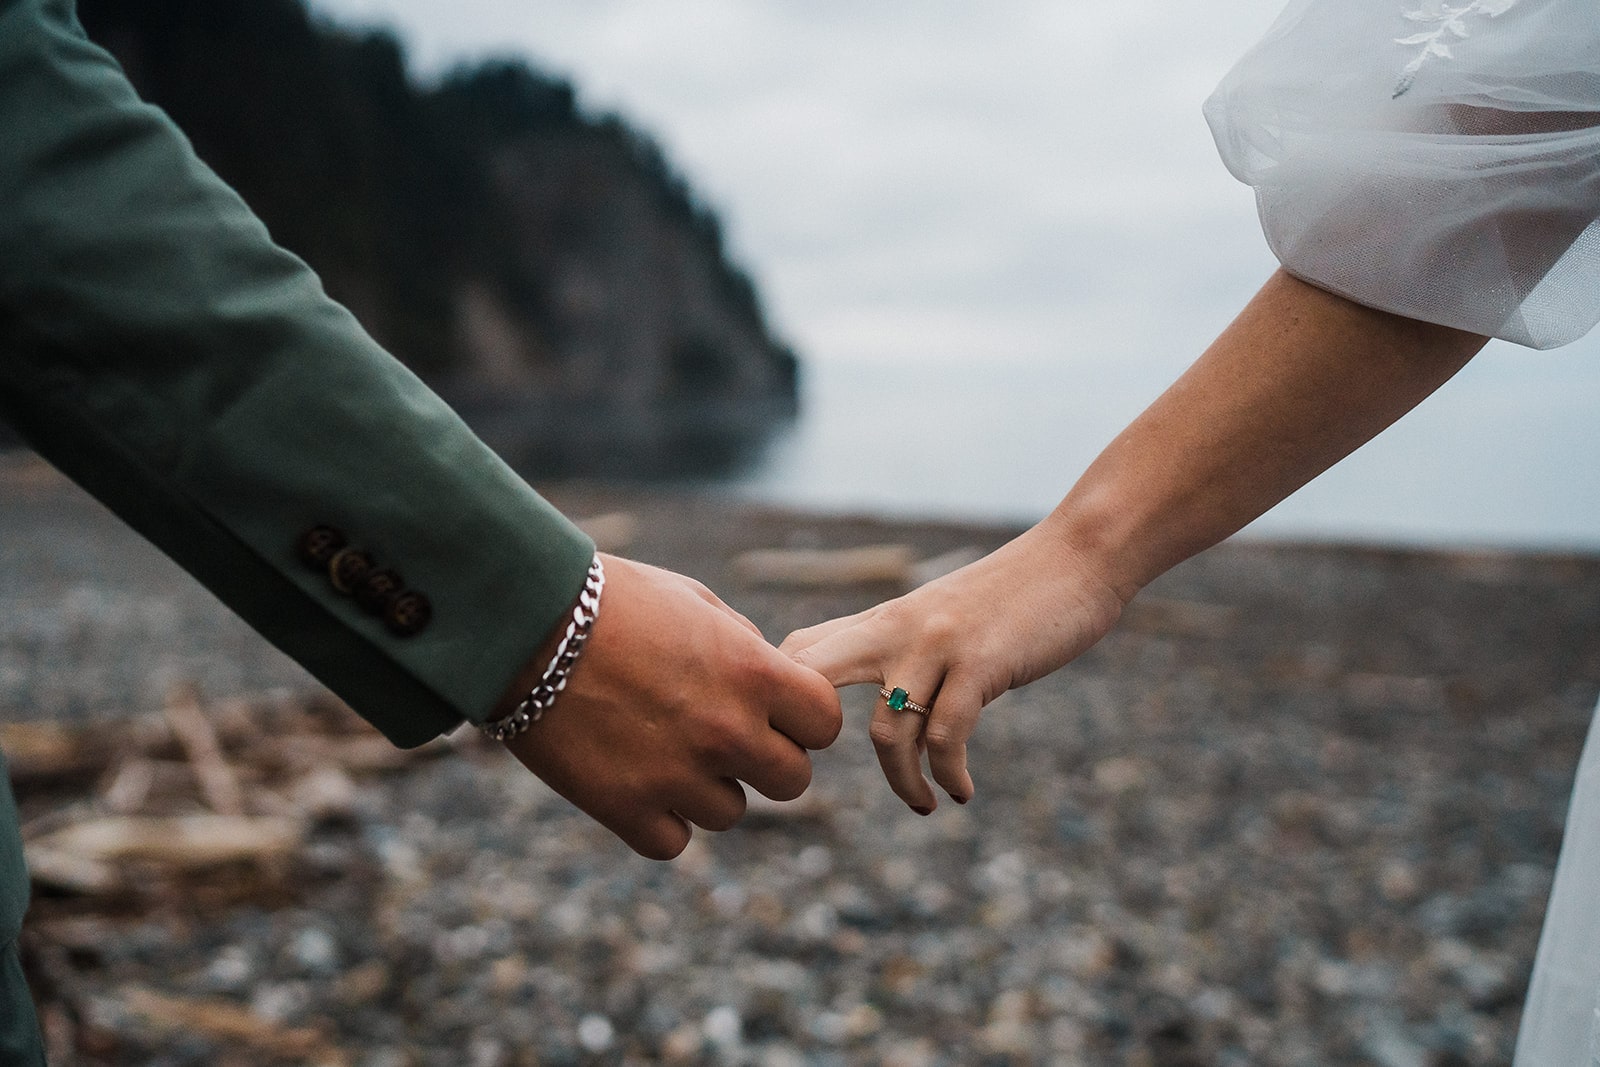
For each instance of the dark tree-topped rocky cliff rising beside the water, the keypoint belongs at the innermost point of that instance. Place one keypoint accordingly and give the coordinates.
(546, 270)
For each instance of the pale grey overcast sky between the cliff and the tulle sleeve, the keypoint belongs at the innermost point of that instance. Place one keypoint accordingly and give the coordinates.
(919, 178)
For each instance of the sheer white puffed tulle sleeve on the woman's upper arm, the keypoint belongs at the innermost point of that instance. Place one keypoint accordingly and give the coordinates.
(1439, 161)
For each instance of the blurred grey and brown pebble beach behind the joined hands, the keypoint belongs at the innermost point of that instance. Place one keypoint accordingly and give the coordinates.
(1302, 809)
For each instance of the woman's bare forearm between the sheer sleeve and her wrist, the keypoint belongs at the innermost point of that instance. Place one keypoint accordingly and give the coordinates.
(1297, 383)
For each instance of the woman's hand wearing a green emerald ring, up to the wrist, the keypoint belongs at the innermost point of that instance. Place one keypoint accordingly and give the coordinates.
(958, 644)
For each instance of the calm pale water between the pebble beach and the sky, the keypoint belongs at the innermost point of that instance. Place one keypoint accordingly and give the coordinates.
(1505, 455)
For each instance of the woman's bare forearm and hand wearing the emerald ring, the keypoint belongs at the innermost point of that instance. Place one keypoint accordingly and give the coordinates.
(1297, 383)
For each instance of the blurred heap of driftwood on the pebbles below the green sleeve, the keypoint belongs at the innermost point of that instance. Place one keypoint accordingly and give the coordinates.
(190, 789)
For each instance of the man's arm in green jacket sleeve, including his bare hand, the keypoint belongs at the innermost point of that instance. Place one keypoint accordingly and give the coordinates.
(166, 354)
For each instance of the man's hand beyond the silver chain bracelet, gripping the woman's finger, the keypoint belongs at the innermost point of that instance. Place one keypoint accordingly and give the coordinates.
(676, 700)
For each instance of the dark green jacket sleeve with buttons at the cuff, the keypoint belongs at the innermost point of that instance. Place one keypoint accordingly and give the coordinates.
(167, 356)
